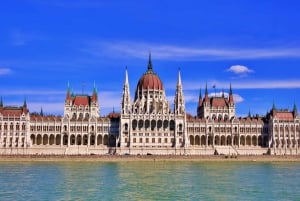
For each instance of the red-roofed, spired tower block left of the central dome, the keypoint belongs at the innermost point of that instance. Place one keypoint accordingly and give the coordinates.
(81, 106)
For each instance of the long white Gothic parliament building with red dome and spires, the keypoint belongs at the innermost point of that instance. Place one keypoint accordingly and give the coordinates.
(148, 125)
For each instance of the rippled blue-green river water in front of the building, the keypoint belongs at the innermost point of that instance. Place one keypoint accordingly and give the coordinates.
(149, 181)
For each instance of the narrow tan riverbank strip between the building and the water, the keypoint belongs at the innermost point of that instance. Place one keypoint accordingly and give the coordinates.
(129, 158)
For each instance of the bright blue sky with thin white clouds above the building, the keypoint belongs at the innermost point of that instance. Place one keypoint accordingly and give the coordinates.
(254, 45)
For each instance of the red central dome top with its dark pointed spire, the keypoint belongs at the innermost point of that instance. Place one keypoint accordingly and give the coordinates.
(150, 79)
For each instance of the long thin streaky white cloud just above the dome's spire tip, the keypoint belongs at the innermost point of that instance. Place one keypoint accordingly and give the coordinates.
(168, 51)
